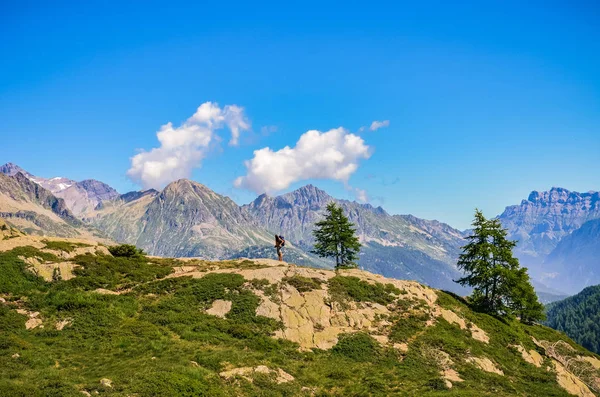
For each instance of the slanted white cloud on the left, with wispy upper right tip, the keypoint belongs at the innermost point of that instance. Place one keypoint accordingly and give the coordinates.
(183, 148)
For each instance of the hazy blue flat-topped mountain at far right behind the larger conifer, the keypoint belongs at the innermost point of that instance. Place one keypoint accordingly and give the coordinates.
(547, 227)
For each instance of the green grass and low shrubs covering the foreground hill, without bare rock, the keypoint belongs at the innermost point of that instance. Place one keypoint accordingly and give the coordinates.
(145, 343)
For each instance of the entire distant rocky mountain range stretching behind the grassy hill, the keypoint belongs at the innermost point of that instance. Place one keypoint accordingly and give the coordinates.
(187, 219)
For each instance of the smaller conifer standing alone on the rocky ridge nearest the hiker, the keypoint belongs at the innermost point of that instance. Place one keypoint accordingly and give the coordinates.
(336, 238)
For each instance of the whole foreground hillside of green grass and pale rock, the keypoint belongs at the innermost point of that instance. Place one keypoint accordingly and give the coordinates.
(143, 326)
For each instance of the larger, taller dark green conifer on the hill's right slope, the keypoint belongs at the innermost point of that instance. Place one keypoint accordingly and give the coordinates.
(500, 285)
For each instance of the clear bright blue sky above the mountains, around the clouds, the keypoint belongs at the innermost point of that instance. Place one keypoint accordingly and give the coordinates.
(485, 102)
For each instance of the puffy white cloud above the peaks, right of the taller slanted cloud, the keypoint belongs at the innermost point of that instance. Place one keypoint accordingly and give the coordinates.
(334, 154)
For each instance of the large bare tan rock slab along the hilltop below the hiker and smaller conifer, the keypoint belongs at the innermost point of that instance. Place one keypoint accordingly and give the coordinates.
(314, 319)
